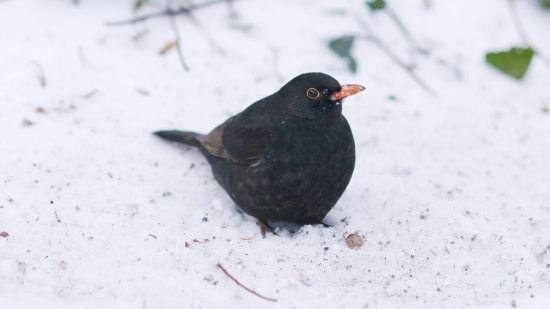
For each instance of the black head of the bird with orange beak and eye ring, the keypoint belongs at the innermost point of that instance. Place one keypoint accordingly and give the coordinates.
(317, 97)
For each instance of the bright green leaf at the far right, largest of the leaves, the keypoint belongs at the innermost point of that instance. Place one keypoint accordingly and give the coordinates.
(513, 62)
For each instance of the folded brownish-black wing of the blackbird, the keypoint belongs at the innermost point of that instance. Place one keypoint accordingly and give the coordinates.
(241, 139)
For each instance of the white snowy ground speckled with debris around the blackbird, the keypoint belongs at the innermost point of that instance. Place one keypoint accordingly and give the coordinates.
(450, 193)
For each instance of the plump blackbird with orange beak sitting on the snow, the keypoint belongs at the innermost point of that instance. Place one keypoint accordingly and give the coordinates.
(287, 157)
